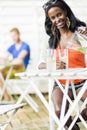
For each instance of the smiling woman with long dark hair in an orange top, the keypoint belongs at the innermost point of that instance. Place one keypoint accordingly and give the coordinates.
(61, 25)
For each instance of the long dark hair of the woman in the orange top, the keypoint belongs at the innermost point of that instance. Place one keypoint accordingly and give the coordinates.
(75, 23)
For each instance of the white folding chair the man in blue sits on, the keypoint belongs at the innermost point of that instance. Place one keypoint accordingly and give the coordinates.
(24, 93)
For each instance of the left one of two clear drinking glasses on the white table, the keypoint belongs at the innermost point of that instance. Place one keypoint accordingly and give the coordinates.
(51, 60)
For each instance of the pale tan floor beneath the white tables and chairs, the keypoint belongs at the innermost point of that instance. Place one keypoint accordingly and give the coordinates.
(27, 119)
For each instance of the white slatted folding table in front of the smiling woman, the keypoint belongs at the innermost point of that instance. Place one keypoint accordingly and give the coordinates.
(69, 75)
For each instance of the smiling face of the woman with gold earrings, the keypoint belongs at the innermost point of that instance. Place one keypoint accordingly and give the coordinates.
(57, 17)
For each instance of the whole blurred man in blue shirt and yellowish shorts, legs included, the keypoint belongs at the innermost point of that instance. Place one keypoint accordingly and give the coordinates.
(20, 52)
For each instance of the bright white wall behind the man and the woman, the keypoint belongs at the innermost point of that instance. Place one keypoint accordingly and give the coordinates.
(28, 16)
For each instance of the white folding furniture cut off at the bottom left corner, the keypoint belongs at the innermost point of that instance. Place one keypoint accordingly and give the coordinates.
(5, 108)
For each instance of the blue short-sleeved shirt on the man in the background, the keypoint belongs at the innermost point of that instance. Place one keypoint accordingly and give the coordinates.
(15, 53)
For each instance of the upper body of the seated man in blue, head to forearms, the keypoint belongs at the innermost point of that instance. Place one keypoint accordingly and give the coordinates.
(19, 50)
